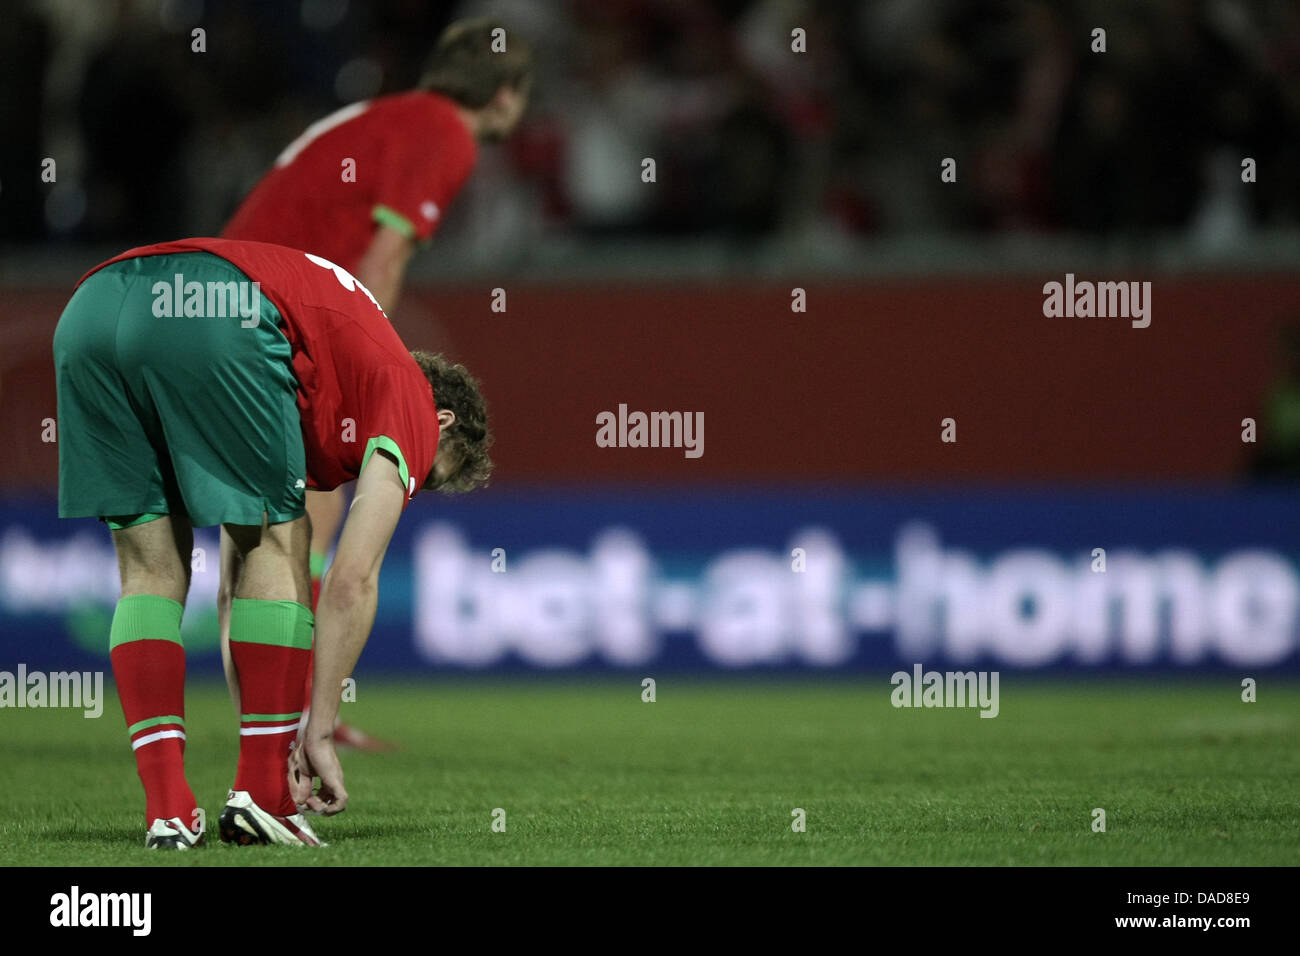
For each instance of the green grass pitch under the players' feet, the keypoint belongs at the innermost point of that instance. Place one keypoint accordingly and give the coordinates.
(710, 773)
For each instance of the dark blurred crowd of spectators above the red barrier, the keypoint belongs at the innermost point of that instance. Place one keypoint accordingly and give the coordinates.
(749, 137)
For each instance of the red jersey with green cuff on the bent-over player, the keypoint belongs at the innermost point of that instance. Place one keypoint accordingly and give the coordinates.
(358, 386)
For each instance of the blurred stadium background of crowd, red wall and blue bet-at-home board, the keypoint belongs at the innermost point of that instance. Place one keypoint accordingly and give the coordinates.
(775, 171)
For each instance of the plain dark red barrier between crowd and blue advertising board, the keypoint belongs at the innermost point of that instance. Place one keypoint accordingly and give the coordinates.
(853, 390)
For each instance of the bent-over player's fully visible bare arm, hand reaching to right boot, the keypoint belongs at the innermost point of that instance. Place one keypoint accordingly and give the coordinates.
(345, 615)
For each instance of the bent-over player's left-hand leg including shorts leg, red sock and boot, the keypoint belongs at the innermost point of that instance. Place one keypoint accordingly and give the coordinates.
(110, 465)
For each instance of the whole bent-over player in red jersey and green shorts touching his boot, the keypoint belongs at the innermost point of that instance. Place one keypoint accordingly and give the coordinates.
(213, 382)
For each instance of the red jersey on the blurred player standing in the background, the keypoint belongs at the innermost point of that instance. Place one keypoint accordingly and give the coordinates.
(408, 155)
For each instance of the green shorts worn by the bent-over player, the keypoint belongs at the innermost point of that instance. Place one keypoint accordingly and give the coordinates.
(176, 399)
